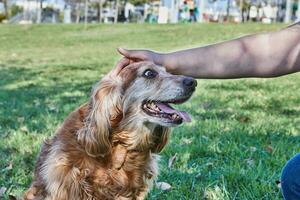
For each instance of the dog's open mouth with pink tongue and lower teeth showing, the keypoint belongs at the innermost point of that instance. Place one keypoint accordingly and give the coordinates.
(164, 111)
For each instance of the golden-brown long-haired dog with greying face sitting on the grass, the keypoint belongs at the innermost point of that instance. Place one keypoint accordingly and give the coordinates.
(108, 148)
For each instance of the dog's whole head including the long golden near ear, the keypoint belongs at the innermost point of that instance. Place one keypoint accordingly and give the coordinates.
(138, 96)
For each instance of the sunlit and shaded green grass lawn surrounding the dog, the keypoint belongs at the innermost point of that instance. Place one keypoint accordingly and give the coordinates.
(243, 131)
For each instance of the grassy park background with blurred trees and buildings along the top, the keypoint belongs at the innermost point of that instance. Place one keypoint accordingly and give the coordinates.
(52, 52)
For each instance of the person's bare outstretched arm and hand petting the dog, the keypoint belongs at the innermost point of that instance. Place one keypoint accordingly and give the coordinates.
(260, 55)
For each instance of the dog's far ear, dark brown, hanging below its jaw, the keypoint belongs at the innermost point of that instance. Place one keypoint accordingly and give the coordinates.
(161, 137)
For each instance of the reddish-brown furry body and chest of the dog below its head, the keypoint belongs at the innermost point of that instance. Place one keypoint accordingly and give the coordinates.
(64, 170)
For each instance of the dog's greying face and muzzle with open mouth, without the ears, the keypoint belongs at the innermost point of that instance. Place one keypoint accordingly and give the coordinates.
(149, 90)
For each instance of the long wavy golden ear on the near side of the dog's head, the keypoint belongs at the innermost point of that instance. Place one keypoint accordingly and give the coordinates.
(103, 115)
